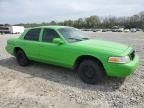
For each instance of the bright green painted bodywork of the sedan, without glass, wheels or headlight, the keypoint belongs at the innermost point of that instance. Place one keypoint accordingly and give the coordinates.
(63, 53)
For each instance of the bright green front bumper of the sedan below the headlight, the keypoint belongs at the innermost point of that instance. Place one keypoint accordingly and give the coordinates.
(122, 70)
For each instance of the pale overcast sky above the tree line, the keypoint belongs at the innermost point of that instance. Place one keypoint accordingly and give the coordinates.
(27, 11)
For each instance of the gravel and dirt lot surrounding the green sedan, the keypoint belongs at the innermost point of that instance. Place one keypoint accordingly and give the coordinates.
(44, 86)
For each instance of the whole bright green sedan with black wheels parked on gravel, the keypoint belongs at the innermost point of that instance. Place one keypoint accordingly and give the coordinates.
(70, 48)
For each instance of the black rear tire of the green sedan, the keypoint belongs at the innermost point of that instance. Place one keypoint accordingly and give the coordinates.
(22, 60)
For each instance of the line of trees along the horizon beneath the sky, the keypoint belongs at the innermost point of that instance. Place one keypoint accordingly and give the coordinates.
(96, 22)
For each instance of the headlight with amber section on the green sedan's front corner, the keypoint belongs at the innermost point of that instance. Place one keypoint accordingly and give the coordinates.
(124, 59)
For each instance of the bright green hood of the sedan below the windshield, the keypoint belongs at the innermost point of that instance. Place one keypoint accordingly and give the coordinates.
(102, 45)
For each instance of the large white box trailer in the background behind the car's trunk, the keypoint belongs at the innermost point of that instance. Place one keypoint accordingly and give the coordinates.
(16, 29)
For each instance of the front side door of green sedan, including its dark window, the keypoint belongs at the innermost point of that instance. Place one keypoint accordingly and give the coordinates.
(51, 52)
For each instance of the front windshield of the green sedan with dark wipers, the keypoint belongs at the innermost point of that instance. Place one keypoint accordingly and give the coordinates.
(72, 34)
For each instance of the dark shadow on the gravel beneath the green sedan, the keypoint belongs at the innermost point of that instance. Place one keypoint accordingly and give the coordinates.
(61, 75)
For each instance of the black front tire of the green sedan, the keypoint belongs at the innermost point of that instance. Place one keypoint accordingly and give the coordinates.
(90, 71)
